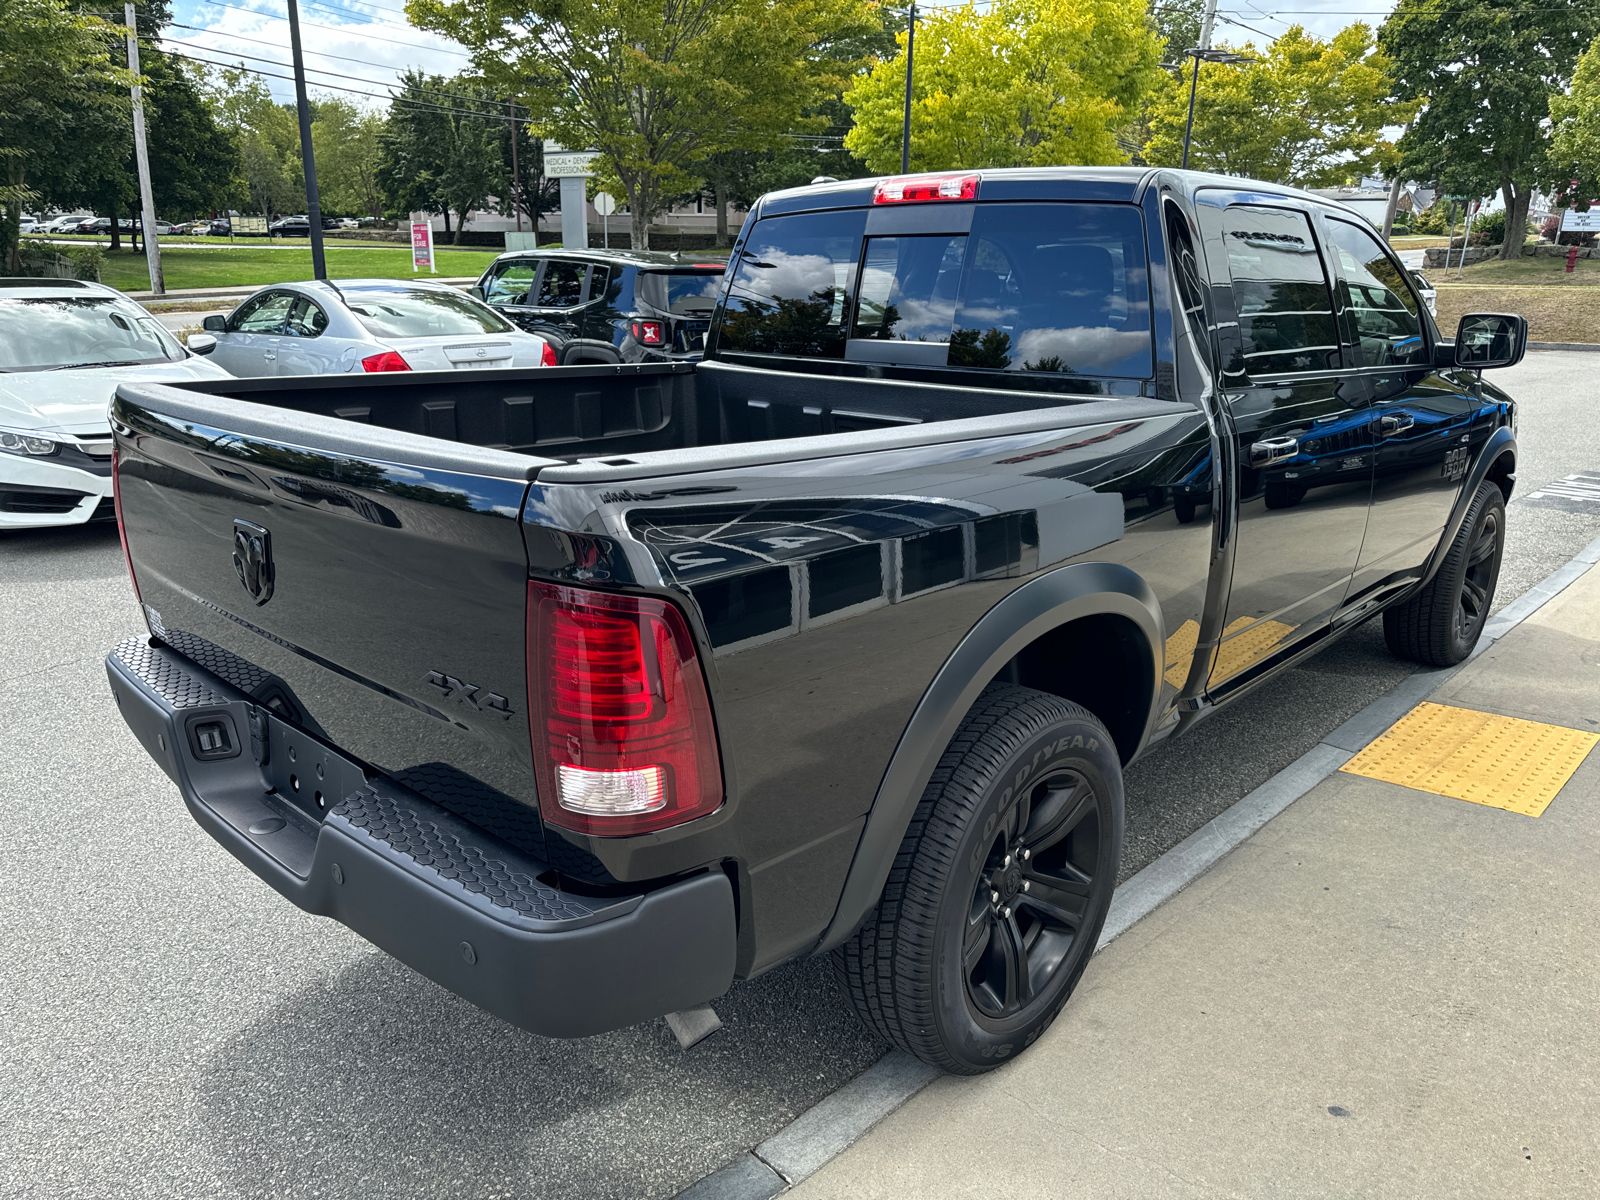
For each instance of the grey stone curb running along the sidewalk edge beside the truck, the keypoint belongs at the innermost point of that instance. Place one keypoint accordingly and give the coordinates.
(836, 1122)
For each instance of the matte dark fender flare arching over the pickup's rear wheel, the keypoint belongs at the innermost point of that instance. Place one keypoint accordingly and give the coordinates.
(1033, 610)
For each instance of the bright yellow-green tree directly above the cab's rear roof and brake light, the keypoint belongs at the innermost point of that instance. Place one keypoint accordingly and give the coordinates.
(1022, 82)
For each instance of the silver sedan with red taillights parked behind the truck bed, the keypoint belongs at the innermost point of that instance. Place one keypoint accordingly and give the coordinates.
(369, 326)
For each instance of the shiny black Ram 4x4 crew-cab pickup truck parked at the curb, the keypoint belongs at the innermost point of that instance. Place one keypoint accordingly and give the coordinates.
(591, 690)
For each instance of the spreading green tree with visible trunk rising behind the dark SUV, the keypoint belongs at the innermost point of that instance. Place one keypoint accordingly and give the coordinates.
(655, 86)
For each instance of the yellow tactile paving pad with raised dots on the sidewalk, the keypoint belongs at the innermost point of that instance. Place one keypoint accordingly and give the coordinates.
(1481, 758)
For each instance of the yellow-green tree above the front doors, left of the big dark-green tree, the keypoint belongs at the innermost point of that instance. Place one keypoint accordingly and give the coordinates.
(1306, 113)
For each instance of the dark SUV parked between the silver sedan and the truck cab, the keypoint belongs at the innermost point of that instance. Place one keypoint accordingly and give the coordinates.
(606, 306)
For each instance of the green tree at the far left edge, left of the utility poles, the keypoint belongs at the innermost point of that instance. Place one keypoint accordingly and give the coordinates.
(57, 70)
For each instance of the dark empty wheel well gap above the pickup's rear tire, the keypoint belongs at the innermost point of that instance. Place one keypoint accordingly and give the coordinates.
(1098, 662)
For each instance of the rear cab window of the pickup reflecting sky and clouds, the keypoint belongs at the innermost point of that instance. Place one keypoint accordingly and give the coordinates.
(1047, 289)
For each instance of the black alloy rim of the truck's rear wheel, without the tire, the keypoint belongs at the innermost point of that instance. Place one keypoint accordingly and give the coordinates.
(1033, 898)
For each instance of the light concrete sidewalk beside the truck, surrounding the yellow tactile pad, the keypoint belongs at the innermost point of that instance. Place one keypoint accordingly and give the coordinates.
(1385, 993)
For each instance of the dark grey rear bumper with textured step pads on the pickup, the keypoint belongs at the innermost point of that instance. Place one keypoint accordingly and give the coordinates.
(436, 892)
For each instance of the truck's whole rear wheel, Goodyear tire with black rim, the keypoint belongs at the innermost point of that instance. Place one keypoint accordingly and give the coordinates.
(999, 890)
